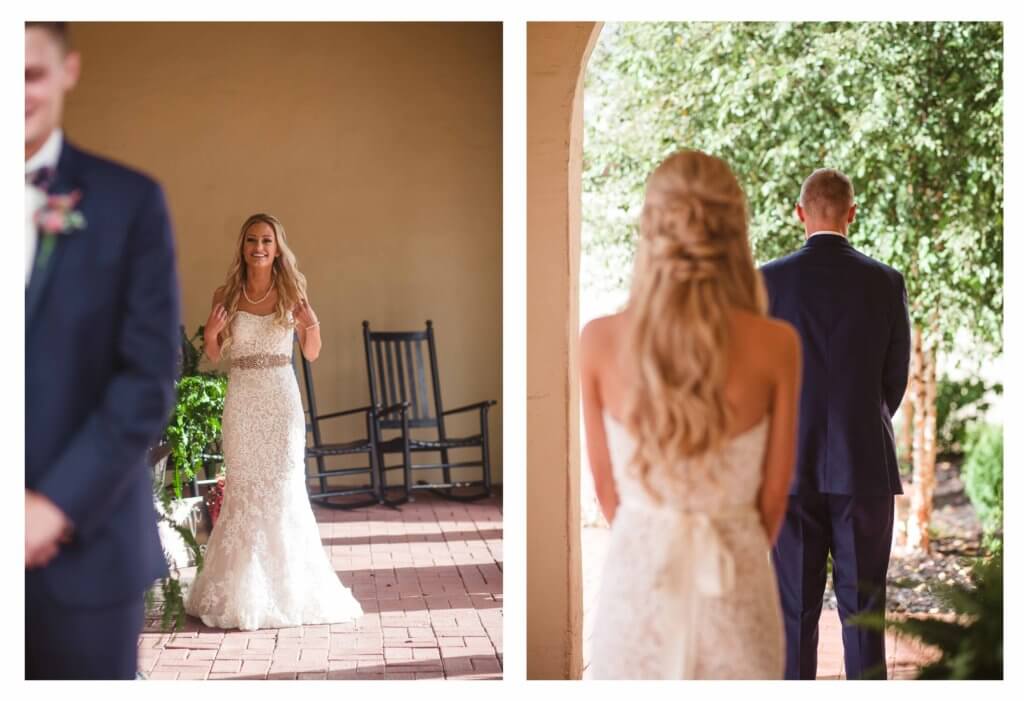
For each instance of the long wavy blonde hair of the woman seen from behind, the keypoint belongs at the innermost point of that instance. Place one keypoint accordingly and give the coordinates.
(694, 266)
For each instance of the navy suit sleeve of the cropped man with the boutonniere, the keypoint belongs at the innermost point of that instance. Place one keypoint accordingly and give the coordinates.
(92, 475)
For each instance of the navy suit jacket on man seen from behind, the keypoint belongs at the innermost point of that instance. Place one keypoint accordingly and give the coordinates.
(851, 314)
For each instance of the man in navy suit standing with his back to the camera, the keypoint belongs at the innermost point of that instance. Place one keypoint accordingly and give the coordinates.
(851, 314)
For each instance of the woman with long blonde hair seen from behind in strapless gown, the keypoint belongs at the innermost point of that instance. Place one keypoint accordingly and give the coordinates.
(690, 400)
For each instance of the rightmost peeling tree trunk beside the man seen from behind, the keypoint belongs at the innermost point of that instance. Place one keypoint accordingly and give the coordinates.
(924, 449)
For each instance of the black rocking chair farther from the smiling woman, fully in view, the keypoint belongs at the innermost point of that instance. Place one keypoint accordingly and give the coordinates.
(398, 377)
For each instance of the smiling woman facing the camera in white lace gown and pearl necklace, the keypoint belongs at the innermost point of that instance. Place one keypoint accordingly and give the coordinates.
(265, 565)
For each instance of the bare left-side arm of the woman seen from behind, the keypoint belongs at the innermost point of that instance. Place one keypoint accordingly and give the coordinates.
(598, 447)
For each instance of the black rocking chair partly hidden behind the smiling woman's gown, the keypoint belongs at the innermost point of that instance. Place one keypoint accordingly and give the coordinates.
(322, 493)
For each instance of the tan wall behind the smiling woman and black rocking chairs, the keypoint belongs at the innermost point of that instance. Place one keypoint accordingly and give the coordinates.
(377, 145)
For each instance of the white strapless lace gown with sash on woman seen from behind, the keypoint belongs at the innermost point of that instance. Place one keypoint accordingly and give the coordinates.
(689, 590)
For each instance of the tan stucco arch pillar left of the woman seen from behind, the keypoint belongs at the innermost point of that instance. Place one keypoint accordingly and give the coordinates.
(558, 54)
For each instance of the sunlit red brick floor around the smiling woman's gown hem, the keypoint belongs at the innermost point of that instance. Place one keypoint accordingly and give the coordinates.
(429, 577)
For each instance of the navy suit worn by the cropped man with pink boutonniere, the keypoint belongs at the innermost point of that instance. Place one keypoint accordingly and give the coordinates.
(102, 330)
